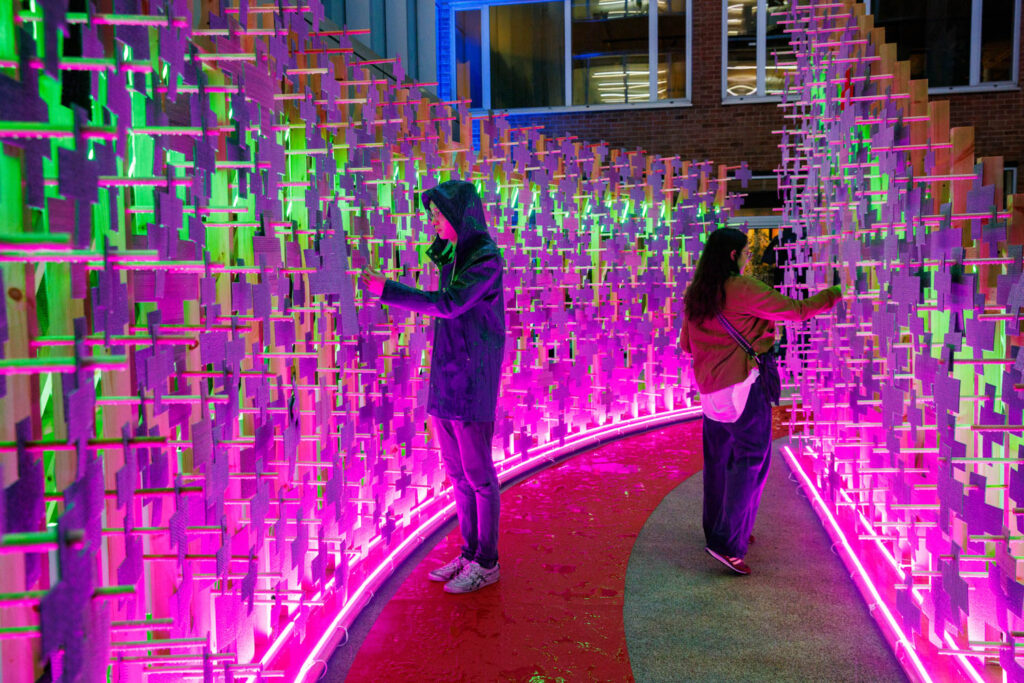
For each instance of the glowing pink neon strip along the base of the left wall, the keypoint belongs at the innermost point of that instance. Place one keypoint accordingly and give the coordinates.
(547, 452)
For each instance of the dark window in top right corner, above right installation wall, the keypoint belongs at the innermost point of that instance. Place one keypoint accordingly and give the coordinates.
(935, 36)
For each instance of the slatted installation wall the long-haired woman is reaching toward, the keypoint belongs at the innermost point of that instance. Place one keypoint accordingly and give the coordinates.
(912, 417)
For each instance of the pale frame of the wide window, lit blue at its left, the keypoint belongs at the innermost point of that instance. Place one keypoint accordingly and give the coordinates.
(483, 6)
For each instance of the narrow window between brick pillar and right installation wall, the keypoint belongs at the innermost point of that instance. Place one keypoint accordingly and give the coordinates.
(757, 48)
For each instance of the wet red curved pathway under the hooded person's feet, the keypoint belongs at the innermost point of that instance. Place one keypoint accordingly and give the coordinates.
(557, 615)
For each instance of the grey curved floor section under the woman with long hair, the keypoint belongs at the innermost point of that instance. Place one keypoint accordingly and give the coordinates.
(798, 617)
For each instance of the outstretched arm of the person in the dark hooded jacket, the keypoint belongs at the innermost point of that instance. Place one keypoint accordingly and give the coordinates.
(472, 286)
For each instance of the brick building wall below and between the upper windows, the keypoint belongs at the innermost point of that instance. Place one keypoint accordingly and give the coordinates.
(732, 134)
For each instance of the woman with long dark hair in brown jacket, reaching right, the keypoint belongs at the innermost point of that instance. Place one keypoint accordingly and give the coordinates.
(735, 396)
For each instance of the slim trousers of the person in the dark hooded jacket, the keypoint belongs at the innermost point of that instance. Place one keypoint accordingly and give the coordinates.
(466, 452)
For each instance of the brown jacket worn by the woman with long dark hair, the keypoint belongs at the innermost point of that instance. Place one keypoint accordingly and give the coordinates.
(752, 307)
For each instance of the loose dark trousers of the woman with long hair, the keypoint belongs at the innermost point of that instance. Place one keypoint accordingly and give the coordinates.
(737, 458)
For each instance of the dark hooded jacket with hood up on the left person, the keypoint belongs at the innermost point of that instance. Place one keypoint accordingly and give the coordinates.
(470, 310)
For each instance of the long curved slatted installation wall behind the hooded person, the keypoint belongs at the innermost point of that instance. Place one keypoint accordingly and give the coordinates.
(211, 445)
